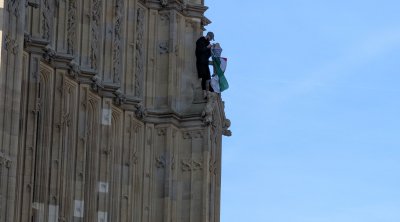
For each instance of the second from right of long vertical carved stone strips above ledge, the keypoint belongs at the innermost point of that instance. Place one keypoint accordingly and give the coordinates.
(117, 40)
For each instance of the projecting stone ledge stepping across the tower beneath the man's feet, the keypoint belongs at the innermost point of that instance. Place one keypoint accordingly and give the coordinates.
(112, 90)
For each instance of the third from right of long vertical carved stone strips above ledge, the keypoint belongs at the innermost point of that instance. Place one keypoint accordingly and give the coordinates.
(95, 21)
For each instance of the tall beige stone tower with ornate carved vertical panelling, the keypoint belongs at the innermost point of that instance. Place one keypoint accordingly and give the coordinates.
(101, 113)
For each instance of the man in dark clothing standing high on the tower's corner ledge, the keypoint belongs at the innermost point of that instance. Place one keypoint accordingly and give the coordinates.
(203, 53)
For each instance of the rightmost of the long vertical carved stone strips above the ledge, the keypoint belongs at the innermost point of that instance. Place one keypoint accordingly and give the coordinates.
(139, 57)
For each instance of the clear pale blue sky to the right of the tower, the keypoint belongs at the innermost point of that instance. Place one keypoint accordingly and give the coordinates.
(314, 101)
